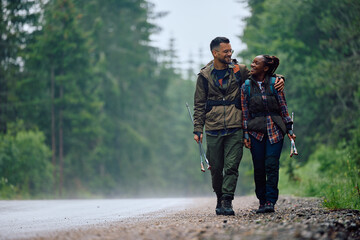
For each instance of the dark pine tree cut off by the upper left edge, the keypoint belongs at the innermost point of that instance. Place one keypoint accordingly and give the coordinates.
(14, 16)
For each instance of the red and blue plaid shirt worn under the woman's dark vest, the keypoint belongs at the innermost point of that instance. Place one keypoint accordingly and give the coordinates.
(273, 131)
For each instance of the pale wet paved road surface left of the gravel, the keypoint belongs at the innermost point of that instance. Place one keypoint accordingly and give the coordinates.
(25, 219)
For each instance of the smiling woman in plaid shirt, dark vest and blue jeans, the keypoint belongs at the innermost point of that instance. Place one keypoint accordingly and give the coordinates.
(265, 121)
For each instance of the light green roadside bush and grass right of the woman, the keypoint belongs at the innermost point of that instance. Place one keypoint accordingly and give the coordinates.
(331, 173)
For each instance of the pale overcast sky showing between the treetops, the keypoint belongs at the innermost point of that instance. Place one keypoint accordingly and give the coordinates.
(194, 23)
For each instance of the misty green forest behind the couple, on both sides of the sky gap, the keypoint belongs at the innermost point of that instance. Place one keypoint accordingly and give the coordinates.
(90, 109)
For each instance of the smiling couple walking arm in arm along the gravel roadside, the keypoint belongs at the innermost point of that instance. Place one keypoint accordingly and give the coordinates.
(240, 107)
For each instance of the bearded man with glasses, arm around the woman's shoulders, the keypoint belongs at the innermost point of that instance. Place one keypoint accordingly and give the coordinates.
(217, 107)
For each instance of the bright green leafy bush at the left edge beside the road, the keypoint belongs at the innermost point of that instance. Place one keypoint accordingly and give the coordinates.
(24, 165)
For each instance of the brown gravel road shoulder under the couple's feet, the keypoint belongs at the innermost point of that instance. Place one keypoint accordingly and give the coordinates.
(295, 218)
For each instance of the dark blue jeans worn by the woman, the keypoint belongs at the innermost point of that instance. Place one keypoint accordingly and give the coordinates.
(265, 158)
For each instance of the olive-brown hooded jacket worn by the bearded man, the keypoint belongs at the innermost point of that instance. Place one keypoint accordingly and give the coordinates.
(223, 116)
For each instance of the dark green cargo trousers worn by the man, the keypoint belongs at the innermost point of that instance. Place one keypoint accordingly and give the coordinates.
(224, 154)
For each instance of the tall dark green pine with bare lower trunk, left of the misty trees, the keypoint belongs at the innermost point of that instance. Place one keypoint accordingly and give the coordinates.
(58, 64)
